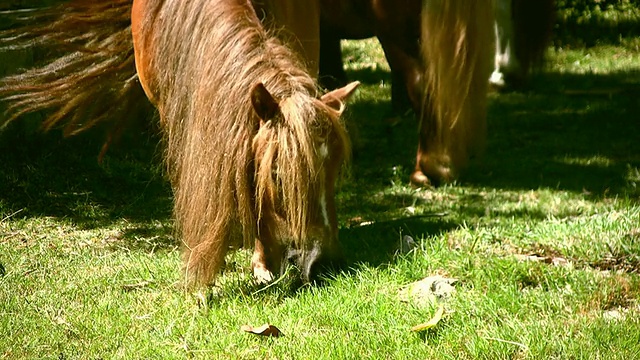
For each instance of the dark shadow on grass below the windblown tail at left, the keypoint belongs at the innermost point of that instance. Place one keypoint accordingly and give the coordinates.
(46, 175)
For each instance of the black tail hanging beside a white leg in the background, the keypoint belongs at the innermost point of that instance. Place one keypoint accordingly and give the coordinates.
(533, 23)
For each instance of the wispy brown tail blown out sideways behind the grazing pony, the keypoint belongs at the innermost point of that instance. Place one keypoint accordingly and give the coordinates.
(92, 74)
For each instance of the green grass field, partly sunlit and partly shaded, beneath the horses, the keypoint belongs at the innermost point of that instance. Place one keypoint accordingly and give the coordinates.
(542, 234)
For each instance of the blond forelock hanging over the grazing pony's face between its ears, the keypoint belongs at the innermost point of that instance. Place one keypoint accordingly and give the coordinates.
(292, 160)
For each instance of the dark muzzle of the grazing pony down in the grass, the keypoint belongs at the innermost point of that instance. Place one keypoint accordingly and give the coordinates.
(318, 261)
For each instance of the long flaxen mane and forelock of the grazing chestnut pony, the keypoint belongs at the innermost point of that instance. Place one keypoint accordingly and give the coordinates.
(224, 164)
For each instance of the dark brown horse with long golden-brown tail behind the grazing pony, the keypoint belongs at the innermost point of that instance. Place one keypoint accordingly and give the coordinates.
(441, 51)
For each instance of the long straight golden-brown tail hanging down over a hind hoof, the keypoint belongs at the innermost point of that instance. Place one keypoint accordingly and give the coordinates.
(457, 38)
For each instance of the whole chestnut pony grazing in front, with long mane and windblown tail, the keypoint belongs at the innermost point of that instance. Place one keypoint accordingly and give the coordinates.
(252, 150)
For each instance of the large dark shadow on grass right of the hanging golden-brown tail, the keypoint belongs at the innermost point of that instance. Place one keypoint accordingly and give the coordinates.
(578, 133)
